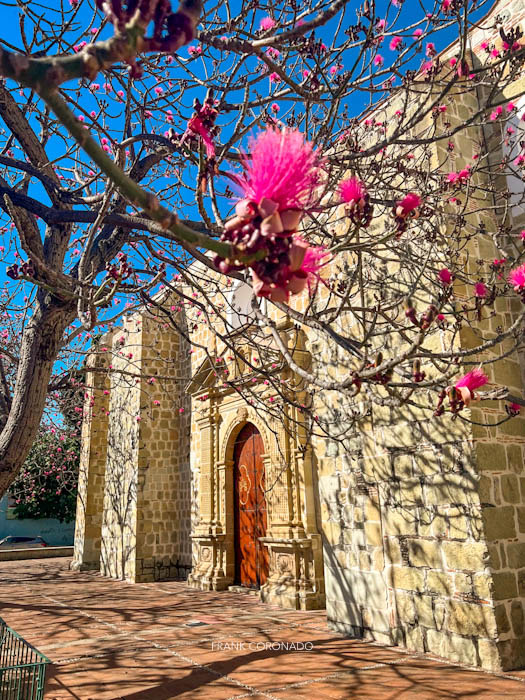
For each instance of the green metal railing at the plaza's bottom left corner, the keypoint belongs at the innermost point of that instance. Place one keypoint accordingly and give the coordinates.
(22, 667)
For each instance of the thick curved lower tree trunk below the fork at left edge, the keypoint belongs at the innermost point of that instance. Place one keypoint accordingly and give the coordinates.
(41, 342)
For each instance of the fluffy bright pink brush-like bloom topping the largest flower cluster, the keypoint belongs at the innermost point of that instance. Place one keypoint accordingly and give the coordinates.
(281, 167)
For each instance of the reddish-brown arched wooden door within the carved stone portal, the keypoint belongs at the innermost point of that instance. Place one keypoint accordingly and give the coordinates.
(251, 556)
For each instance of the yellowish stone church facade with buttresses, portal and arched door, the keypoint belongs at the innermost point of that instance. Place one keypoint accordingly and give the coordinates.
(411, 532)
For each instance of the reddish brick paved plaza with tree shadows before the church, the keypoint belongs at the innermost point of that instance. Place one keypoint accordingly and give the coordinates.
(157, 641)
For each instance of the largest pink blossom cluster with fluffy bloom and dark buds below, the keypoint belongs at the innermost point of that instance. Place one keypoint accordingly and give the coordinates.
(281, 174)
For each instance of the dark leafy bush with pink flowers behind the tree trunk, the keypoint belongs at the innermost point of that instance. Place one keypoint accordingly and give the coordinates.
(47, 484)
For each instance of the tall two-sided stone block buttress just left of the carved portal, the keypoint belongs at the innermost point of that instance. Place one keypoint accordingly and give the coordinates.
(146, 521)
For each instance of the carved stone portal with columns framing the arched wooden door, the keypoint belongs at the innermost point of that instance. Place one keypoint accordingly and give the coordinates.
(295, 577)
